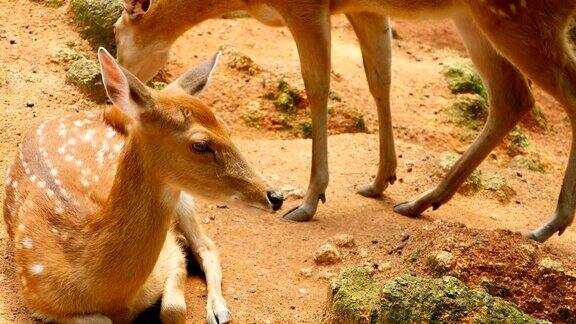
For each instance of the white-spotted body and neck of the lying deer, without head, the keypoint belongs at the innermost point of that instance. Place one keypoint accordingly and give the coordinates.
(70, 243)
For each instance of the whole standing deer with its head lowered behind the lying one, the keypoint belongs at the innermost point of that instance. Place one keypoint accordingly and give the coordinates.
(508, 41)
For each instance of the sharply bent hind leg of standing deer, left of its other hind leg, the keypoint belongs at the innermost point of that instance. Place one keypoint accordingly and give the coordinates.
(510, 99)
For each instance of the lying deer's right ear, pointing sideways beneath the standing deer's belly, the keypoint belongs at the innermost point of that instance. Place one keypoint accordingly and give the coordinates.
(198, 77)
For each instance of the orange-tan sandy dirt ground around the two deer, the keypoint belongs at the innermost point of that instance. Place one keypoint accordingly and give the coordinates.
(262, 255)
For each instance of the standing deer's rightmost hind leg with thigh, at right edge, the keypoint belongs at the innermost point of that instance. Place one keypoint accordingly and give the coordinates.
(543, 54)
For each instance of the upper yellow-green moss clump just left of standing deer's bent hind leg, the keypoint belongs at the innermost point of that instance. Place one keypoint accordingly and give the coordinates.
(462, 78)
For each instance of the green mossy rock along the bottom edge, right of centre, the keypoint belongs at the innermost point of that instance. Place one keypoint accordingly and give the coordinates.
(356, 298)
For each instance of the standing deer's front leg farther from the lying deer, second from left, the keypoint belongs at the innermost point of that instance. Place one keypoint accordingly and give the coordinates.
(375, 36)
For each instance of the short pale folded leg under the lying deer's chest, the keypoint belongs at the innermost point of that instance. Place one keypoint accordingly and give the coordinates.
(173, 308)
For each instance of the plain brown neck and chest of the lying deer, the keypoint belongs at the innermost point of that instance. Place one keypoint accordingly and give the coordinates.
(126, 238)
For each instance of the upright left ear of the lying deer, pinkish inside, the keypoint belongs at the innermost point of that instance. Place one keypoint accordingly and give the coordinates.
(124, 90)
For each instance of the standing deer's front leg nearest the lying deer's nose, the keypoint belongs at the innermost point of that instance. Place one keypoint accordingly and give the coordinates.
(311, 31)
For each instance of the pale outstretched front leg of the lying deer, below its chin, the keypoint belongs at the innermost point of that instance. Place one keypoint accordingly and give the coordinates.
(207, 255)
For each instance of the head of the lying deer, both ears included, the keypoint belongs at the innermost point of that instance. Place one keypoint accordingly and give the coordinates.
(181, 140)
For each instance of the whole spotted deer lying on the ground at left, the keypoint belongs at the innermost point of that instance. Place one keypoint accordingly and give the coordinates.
(91, 202)
